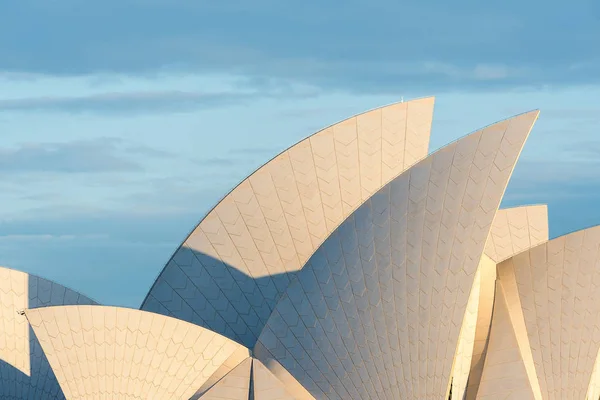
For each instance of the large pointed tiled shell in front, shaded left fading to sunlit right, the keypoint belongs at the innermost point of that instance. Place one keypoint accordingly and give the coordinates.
(377, 310)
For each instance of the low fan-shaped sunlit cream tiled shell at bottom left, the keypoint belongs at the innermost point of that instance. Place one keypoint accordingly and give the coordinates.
(110, 352)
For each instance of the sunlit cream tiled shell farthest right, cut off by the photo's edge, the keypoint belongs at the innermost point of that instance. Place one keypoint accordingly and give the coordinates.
(554, 305)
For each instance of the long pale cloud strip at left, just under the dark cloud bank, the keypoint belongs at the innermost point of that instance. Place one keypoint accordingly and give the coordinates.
(127, 95)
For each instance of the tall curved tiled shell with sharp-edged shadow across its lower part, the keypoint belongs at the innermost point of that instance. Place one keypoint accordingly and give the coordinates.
(230, 272)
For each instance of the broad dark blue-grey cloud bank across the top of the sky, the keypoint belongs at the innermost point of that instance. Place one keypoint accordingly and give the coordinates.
(380, 47)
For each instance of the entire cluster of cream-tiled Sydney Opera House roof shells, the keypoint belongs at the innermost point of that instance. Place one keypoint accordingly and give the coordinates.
(353, 265)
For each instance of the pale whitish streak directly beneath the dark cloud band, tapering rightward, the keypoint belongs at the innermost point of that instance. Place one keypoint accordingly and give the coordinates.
(43, 91)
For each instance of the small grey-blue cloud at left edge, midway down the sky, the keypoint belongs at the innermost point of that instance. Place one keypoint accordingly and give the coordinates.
(84, 156)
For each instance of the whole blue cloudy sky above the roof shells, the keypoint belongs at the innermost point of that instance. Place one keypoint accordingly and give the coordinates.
(123, 122)
